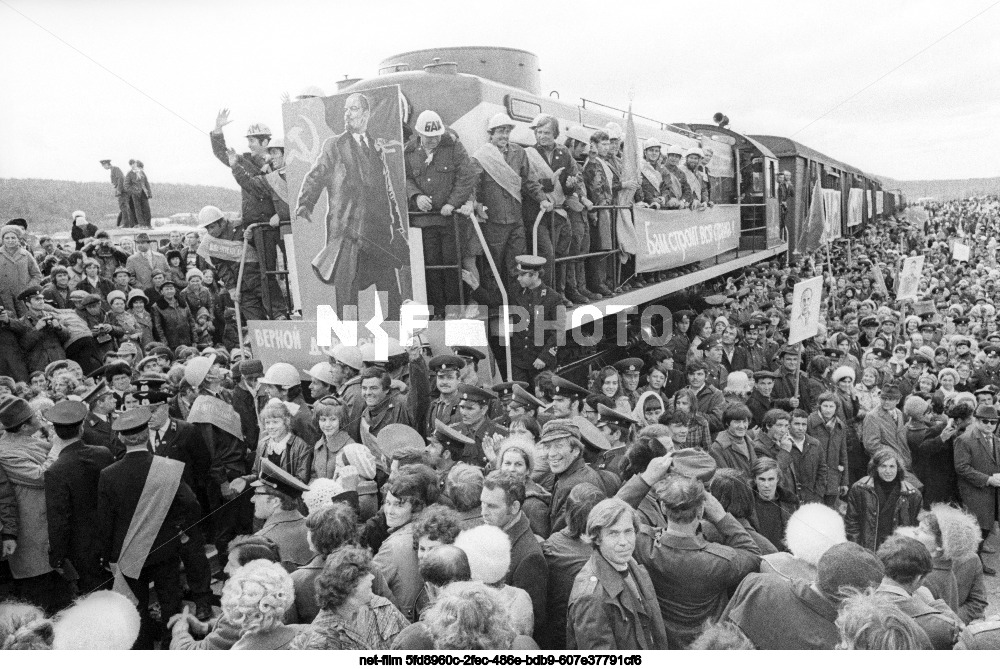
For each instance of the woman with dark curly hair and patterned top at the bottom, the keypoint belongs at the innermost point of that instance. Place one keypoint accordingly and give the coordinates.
(342, 591)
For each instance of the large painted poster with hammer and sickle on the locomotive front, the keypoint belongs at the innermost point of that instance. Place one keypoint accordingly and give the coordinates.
(347, 184)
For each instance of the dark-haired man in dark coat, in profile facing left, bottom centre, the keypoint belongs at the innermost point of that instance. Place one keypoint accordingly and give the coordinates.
(501, 498)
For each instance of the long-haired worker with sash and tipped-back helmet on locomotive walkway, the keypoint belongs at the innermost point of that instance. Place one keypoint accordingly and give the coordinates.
(559, 177)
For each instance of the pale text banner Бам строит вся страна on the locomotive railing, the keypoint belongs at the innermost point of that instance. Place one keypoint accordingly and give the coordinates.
(669, 239)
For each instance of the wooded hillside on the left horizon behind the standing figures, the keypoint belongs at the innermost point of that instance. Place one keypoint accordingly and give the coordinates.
(48, 204)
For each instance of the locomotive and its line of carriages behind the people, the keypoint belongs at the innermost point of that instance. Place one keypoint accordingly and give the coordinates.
(468, 85)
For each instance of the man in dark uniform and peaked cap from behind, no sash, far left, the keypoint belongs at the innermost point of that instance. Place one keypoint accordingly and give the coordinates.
(71, 498)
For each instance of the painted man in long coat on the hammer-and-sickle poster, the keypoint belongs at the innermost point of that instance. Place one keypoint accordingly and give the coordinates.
(365, 232)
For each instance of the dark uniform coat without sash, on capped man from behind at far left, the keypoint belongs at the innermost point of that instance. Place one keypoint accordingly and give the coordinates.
(71, 504)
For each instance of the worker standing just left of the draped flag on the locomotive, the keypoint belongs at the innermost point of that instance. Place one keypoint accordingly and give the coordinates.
(603, 185)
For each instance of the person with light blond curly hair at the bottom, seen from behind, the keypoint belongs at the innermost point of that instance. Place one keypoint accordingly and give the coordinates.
(255, 599)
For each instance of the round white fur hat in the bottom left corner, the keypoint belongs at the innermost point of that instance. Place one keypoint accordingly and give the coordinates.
(102, 620)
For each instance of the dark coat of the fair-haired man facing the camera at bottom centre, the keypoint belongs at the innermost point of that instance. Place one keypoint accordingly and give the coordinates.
(604, 615)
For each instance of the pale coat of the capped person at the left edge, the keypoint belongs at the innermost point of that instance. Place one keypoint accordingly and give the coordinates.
(22, 463)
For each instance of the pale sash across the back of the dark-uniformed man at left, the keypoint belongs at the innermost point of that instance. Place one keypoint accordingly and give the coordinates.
(162, 482)
